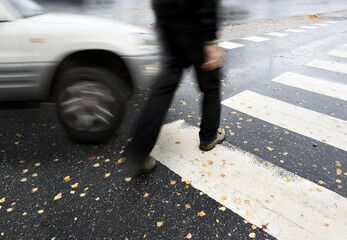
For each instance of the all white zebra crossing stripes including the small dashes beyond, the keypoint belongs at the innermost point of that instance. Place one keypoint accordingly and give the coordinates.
(258, 191)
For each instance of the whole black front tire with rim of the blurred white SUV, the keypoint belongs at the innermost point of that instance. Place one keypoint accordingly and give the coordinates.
(90, 103)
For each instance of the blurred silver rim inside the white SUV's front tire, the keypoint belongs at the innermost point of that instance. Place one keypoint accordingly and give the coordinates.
(88, 106)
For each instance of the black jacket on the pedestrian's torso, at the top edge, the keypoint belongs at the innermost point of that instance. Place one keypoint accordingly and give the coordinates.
(196, 17)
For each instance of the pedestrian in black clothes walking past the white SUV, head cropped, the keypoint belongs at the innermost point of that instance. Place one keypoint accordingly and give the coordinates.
(188, 31)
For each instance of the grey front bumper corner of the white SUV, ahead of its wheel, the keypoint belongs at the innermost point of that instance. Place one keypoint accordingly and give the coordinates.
(143, 69)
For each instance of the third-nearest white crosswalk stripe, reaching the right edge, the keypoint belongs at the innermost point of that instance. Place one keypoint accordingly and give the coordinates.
(316, 85)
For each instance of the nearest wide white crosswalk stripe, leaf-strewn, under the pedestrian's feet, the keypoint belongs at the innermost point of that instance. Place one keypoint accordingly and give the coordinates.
(291, 207)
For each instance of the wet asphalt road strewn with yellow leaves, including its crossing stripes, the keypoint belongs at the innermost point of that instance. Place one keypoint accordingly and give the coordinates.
(295, 174)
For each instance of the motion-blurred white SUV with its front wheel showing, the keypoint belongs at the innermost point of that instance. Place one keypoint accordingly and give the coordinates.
(89, 66)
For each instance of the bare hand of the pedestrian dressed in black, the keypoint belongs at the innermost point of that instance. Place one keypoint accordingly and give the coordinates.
(214, 57)
